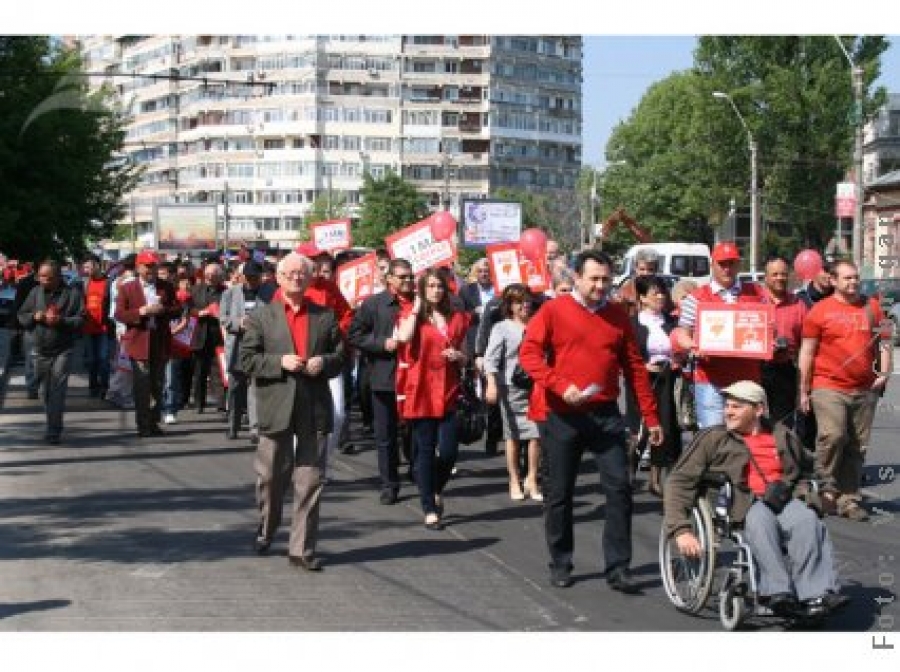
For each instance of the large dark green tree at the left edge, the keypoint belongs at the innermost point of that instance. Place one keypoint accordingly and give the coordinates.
(62, 185)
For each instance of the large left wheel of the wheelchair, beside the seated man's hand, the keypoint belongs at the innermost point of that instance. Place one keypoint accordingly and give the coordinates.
(689, 581)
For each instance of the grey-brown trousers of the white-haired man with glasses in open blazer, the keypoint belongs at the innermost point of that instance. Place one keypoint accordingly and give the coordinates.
(275, 465)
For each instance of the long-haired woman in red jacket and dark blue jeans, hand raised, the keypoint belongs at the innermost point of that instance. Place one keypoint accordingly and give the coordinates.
(435, 334)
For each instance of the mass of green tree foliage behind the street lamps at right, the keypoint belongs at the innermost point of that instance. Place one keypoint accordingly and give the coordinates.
(686, 153)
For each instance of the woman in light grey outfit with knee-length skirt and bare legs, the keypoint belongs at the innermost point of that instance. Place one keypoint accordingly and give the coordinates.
(509, 385)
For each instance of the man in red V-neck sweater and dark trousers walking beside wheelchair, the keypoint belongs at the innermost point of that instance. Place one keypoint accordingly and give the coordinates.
(575, 348)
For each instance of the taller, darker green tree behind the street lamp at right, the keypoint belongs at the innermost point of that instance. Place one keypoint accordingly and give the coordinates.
(796, 96)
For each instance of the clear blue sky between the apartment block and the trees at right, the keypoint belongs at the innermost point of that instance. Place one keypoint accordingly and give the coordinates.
(618, 70)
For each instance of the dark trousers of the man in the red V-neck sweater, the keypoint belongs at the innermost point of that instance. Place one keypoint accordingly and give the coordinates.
(564, 438)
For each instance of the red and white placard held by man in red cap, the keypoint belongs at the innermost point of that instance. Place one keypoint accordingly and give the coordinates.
(742, 330)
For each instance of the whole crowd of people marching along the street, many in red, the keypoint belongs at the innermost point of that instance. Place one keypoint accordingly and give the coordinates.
(434, 361)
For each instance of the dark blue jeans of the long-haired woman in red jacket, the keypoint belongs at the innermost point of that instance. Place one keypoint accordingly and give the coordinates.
(434, 470)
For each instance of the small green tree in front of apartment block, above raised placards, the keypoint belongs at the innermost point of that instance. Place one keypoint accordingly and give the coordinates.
(389, 204)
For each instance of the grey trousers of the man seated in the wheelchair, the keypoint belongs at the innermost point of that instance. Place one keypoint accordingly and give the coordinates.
(808, 569)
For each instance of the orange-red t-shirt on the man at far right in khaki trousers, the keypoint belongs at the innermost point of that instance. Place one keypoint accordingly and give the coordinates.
(847, 347)
